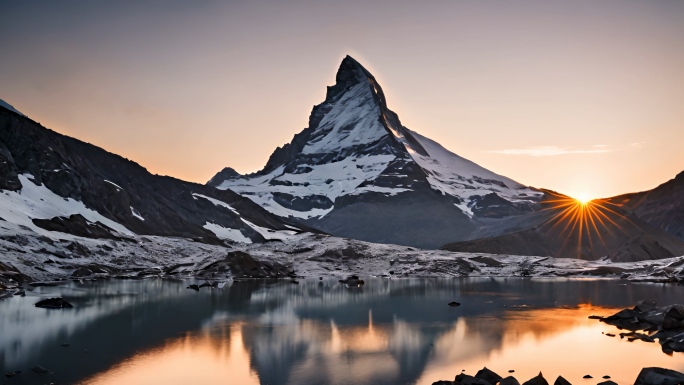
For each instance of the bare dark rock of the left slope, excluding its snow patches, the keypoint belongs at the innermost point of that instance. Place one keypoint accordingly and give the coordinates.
(119, 189)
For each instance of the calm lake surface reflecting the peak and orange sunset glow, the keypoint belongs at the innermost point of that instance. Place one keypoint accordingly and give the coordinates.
(321, 332)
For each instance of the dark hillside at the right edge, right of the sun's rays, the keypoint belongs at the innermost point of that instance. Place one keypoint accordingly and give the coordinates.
(662, 207)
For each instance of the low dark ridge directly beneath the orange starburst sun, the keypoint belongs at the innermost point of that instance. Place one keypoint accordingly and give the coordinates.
(567, 229)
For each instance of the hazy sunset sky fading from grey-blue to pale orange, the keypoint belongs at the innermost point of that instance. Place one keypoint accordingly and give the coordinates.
(583, 97)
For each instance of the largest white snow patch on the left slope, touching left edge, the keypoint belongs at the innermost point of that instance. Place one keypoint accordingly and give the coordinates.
(41, 203)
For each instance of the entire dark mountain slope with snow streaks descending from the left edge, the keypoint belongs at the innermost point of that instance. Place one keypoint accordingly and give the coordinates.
(52, 181)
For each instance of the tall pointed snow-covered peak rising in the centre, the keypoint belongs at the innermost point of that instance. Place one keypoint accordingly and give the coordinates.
(357, 172)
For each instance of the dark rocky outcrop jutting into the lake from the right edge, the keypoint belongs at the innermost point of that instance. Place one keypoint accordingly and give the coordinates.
(665, 324)
